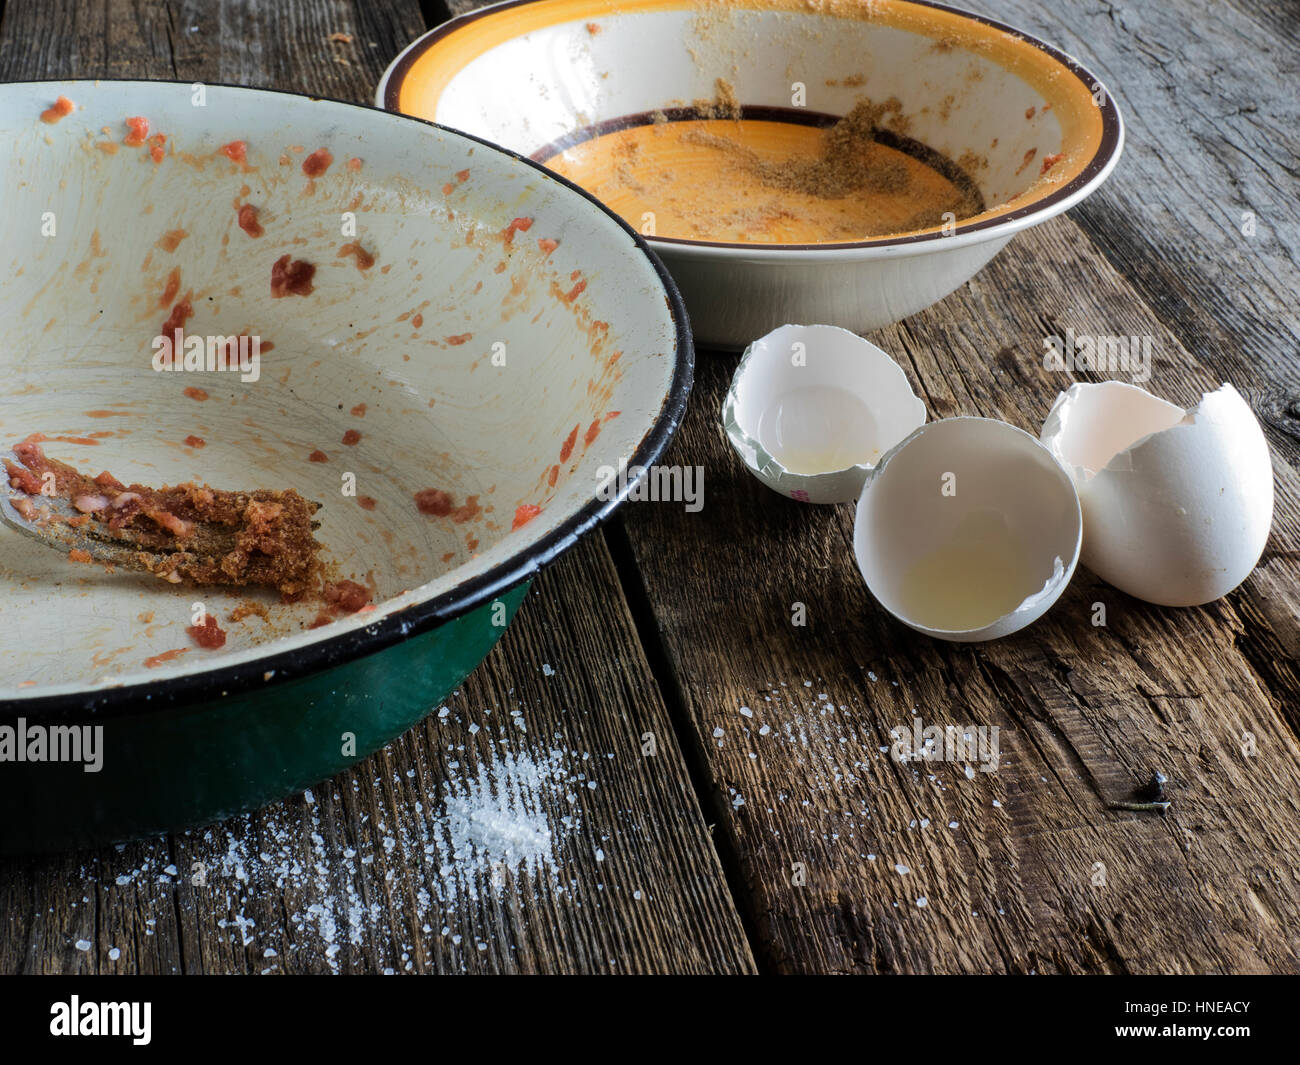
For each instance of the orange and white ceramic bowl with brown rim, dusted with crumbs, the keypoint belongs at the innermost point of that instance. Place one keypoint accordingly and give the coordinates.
(608, 93)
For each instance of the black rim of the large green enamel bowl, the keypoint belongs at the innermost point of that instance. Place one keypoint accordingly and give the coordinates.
(276, 668)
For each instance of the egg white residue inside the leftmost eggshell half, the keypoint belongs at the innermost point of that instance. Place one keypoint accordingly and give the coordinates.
(818, 430)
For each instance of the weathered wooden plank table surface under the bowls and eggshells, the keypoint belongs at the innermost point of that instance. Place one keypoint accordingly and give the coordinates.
(727, 803)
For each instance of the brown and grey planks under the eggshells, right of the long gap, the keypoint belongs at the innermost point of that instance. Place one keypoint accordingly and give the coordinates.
(1028, 869)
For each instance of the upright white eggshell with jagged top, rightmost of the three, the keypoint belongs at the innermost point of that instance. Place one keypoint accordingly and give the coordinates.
(1177, 505)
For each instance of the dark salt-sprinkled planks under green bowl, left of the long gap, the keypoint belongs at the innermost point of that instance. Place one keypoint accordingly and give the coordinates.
(362, 877)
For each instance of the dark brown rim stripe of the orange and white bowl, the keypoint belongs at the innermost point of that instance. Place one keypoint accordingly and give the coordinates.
(1111, 133)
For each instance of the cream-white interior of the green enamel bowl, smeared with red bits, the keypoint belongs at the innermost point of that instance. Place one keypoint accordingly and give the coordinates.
(83, 305)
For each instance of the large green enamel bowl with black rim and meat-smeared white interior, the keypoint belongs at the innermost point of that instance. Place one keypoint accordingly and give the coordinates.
(475, 332)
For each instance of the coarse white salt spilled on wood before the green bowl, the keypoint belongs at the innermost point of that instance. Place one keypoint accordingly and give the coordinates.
(508, 817)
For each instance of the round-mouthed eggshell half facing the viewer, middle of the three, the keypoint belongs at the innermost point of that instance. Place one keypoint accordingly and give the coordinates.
(969, 530)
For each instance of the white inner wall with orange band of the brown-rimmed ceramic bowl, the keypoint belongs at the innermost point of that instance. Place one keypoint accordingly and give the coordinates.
(528, 76)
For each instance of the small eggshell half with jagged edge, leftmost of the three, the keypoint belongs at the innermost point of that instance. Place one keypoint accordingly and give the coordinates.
(813, 408)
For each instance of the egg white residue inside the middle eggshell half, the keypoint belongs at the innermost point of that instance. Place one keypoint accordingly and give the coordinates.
(981, 574)
